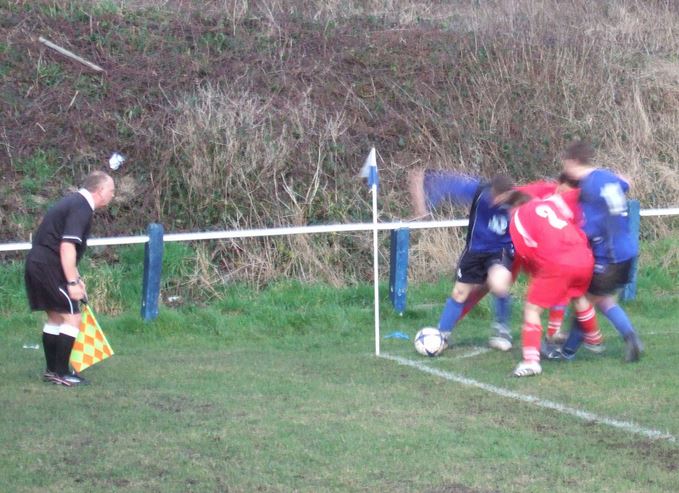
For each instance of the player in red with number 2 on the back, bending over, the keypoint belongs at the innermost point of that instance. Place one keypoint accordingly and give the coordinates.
(556, 255)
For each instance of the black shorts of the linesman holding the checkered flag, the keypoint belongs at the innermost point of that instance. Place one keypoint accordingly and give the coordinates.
(46, 288)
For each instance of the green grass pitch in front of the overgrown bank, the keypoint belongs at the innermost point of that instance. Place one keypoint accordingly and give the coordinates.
(280, 391)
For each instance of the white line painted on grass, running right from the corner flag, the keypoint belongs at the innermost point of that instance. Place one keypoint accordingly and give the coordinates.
(555, 406)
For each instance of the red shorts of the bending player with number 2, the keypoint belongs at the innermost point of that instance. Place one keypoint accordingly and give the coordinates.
(555, 284)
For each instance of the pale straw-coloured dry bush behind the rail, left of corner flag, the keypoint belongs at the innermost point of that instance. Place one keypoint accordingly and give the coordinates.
(234, 156)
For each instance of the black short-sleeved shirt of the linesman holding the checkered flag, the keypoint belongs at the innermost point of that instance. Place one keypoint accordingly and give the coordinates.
(69, 220)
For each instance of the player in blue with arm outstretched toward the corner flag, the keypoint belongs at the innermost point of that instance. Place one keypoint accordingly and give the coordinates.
(488, 254)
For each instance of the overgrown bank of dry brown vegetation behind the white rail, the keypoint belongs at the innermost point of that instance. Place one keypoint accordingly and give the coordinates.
(243, 114)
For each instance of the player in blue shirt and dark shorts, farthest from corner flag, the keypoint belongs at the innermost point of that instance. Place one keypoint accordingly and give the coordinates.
(606, 224)
